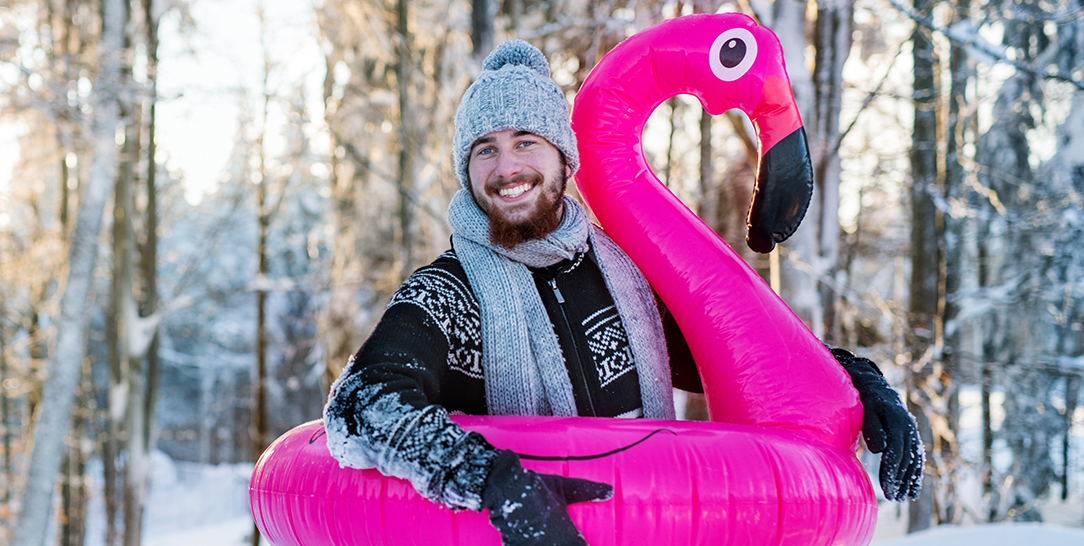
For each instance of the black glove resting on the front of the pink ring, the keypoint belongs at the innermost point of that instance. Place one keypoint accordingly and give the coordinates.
(530, 509)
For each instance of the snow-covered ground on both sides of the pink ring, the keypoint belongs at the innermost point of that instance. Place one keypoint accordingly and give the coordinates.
(209, 505)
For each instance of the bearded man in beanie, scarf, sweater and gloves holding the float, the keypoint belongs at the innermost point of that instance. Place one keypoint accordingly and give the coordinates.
(533, 313)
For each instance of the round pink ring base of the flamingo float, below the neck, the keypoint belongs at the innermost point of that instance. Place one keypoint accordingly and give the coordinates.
(695, 484)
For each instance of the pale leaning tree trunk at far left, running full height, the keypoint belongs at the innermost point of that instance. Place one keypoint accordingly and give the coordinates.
(55, 419)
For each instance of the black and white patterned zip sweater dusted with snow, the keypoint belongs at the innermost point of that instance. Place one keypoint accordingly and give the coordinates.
(390, 409)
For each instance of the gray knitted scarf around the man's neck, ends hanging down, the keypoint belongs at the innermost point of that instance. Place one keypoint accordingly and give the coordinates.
(517, 329)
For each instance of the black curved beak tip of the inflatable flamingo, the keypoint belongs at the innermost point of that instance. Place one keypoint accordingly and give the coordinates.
(783, 192)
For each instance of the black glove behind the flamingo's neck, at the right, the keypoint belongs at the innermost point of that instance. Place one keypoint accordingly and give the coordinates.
(888, 427)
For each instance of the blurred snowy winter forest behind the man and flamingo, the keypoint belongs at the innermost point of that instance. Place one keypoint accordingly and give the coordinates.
(205, 206)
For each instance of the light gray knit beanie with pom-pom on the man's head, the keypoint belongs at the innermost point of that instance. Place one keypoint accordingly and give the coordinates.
(514, 92)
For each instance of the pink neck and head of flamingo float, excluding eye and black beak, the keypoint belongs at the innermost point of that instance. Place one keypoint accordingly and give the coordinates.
(759, 363)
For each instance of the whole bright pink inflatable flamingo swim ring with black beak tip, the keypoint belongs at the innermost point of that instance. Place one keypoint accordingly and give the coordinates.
(776, 466)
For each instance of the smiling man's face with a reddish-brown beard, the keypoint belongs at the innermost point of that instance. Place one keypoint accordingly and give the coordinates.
(519, 180)
